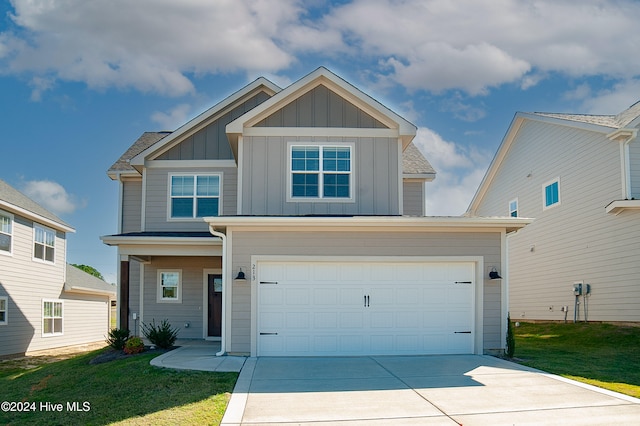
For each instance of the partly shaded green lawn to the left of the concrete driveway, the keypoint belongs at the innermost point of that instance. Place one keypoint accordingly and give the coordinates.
(128, 390)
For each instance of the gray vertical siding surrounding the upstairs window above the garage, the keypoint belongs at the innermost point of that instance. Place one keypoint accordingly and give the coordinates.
(374, 180)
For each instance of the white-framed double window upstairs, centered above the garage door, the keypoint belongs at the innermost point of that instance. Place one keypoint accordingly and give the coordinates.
(321, 171)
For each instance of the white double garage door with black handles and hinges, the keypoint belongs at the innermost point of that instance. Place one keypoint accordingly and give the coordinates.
(365, 308)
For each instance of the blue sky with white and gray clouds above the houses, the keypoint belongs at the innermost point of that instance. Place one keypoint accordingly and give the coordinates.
(81, 80)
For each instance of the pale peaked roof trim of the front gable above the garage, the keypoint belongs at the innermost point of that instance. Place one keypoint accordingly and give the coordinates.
(405, 130)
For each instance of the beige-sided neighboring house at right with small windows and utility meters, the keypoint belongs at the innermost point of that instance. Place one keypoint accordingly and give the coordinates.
(579, 177)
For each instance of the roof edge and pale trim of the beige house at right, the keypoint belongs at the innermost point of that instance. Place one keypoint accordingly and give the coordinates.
(613, 126)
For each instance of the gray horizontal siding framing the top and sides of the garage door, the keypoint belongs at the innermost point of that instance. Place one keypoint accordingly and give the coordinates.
(246, 244)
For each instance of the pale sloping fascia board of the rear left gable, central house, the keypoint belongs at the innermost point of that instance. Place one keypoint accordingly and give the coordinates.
(198, 121)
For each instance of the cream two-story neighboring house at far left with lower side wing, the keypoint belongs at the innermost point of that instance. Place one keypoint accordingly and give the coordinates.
(44, 302)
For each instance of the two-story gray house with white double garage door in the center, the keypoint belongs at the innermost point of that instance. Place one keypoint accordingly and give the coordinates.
(291, 222)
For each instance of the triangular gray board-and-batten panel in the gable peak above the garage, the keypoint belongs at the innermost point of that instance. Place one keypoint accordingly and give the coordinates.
(320, 107)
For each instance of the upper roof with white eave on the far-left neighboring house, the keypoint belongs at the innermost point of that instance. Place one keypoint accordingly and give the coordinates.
(15, 201)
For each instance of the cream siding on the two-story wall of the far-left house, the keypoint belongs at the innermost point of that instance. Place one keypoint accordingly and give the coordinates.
(27, 282)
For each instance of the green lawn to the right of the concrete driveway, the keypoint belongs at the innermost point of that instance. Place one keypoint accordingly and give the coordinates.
(603, 355)
